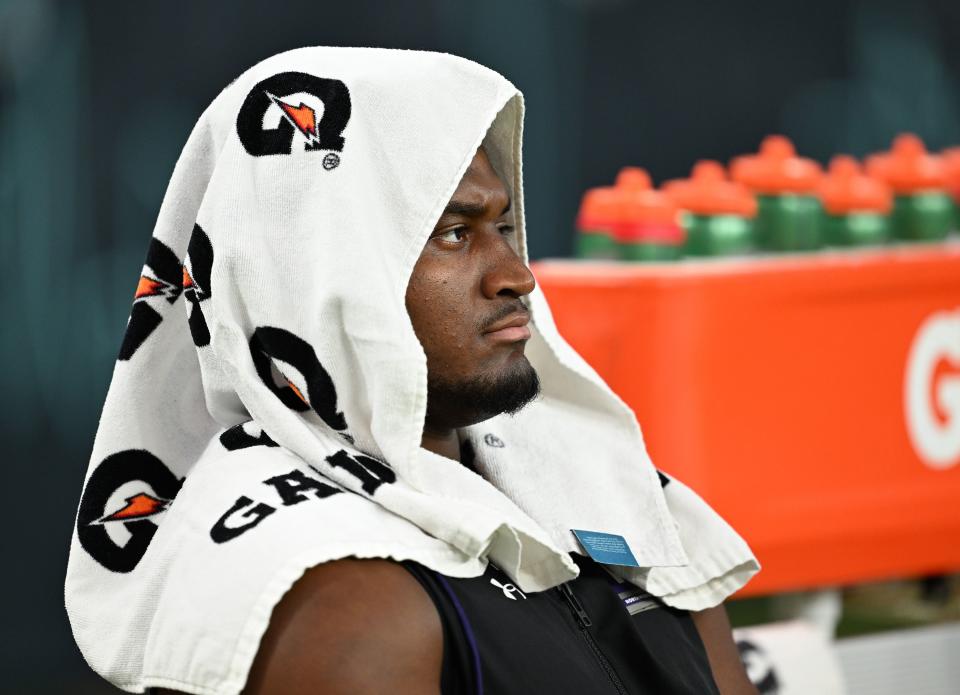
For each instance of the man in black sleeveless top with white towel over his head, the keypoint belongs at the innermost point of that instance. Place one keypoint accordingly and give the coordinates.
(465, 588)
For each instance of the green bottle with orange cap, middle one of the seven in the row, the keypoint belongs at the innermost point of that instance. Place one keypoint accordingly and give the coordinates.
(789, 215)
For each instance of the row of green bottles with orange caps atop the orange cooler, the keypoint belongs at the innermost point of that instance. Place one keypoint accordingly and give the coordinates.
(775, 201)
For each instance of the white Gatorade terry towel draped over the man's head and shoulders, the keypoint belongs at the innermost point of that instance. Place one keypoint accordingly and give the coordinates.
(266, 410)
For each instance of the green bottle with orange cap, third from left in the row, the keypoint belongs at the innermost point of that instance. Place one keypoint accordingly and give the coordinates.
(718, 214)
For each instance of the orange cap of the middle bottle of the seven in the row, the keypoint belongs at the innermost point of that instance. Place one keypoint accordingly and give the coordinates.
(776, 169)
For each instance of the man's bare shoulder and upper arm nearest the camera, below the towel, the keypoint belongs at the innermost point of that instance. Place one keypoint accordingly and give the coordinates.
(350, 626)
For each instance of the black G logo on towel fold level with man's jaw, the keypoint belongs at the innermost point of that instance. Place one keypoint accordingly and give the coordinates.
(269, 343)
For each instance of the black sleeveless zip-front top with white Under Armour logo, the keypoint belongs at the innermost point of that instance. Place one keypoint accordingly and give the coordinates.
(590, 636)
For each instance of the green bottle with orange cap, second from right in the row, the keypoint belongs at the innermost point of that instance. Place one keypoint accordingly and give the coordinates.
(922, 207)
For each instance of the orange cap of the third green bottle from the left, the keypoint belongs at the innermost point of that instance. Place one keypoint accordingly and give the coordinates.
(709, 192)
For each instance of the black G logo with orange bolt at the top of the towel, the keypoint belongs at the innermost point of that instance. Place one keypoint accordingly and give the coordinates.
(287, 91)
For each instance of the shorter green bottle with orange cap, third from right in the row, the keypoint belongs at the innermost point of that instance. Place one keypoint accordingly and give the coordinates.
(857, 207)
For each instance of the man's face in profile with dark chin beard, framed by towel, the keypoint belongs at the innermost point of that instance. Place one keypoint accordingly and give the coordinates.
(464, 302)
